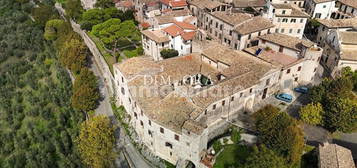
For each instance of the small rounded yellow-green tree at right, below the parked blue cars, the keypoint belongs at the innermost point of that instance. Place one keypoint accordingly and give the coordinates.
(312, 114)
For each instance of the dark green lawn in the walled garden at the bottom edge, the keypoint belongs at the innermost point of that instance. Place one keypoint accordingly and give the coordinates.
(232, 155)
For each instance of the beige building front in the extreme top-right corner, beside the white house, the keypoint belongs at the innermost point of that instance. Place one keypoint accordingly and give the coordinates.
(346, 9)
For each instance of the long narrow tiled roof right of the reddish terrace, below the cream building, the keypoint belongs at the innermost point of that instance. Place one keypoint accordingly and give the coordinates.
(287, 41)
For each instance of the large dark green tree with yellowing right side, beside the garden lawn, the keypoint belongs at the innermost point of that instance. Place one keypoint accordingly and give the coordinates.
(280, 132)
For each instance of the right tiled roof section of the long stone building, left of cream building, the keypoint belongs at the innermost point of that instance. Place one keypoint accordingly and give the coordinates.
(254, 25)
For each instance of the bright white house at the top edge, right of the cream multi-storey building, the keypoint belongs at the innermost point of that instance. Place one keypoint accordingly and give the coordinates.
(320, 9)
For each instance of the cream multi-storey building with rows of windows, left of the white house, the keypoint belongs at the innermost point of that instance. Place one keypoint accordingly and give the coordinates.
(288, 19)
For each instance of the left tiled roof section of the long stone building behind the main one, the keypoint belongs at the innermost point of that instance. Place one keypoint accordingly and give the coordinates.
(233, 18)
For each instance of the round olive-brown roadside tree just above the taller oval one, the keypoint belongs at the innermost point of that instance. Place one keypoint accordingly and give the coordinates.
(73, 55)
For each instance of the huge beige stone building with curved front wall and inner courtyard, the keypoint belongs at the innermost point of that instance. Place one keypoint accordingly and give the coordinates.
(178, 105)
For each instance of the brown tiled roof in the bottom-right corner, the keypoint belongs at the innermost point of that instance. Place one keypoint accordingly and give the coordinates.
(335, 156)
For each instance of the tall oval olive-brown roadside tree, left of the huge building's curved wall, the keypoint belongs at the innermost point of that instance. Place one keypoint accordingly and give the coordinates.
(85, 94)
